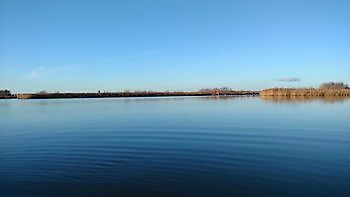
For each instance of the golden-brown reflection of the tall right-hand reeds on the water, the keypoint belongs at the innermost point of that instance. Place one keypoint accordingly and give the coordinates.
(302, 99)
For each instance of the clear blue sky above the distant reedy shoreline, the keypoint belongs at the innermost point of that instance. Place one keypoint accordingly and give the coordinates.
(68, 45)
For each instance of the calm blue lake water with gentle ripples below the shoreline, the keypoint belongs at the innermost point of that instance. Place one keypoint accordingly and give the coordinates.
(232, 146)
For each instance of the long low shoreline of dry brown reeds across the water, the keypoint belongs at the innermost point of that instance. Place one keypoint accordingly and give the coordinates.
(273, 92)
